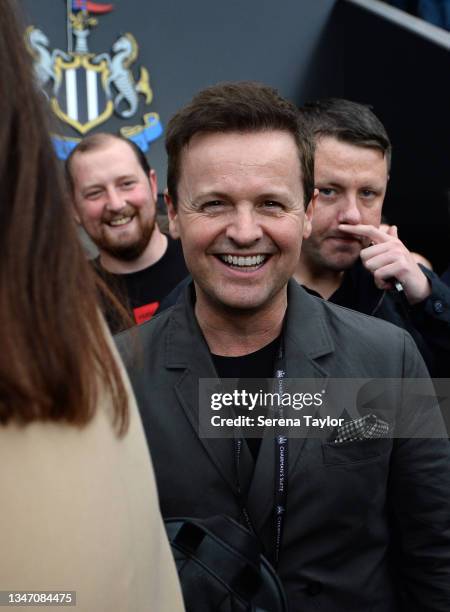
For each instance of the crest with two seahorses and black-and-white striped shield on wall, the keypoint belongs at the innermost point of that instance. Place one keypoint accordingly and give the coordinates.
(85, 89)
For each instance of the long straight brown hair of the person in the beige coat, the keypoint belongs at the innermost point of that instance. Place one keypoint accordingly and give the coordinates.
(55, 357)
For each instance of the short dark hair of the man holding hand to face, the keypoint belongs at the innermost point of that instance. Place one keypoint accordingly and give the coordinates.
(347, 121)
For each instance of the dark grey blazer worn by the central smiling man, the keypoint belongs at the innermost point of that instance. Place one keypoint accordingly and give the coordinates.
(367, 526)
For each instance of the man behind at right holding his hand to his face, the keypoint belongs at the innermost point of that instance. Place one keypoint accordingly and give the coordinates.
(348, 259)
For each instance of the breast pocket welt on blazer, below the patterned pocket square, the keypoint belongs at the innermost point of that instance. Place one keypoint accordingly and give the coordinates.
(357, 451)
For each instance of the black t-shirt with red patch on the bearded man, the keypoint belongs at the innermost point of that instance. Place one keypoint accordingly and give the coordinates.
(141, 292)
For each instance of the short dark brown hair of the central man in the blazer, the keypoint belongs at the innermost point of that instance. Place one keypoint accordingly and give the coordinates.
(236, 107)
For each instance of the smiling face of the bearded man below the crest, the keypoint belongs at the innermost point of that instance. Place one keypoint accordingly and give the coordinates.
(115, 200)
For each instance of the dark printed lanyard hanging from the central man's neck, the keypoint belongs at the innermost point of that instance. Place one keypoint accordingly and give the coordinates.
(281, 468)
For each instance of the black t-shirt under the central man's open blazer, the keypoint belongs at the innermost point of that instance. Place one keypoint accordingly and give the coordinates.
(250, 369)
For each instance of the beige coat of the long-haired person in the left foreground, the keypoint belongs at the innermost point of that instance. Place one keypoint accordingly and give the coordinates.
(79, 511)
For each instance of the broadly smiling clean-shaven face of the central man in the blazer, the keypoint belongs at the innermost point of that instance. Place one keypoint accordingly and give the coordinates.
(240, 216)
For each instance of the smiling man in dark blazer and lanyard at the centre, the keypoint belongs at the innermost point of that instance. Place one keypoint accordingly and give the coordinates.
(366, 520)
